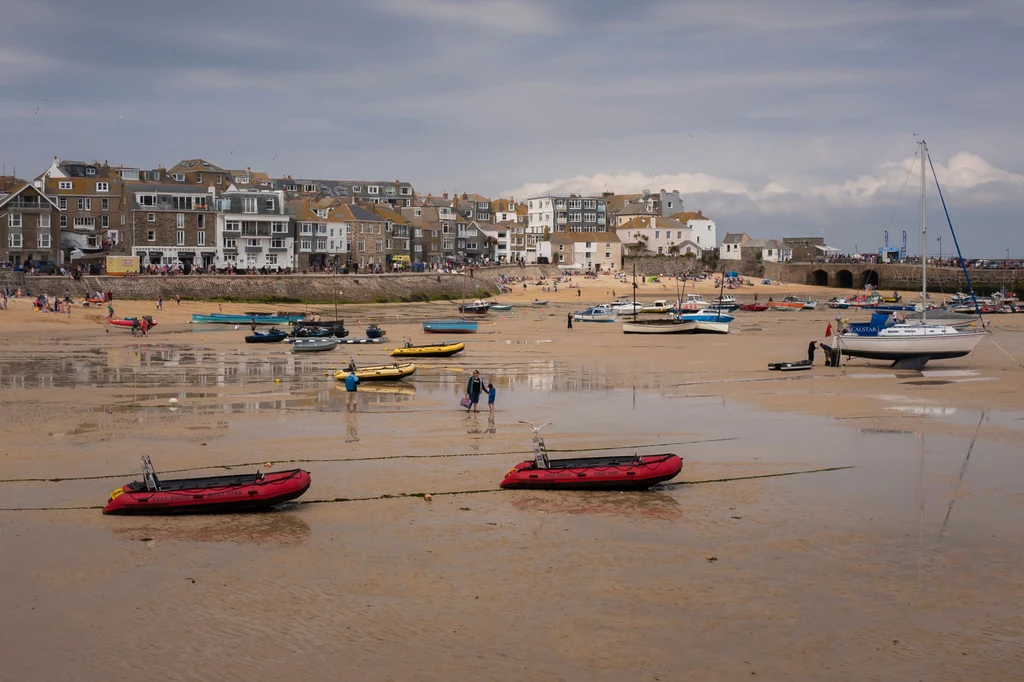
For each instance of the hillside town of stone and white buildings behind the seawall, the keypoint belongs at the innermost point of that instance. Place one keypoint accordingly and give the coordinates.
(199, 218)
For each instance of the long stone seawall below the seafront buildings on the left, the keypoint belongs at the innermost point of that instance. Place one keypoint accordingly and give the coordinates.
(283, 289)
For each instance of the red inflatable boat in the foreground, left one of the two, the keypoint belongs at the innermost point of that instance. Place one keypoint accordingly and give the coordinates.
(234, 493)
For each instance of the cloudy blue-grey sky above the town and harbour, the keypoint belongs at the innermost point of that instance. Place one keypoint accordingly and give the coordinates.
(780, 119)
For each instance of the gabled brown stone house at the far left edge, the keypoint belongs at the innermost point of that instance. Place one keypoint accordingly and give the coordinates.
(28, 224)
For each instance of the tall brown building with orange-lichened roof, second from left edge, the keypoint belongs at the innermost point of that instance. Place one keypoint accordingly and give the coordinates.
(91, 199)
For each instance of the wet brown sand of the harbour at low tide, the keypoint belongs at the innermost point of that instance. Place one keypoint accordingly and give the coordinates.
(904, 567)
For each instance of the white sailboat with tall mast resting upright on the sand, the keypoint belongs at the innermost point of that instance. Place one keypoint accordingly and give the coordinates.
(913, 345)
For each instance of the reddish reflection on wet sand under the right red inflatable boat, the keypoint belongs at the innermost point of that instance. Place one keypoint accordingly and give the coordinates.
(649, 504)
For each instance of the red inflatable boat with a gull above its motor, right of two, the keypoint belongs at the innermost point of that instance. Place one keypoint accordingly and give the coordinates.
(617, 473)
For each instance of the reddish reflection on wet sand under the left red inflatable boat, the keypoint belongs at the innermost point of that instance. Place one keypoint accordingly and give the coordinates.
(280, 527)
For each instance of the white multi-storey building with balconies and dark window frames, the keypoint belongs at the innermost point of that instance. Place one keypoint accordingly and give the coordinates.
(254, 231)
